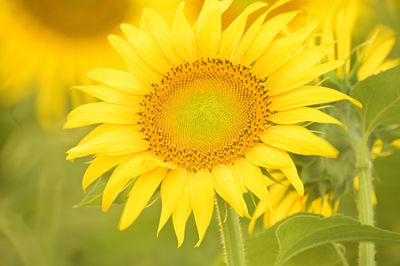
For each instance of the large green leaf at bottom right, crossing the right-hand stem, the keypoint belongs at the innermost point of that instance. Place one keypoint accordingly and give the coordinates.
(284, 242)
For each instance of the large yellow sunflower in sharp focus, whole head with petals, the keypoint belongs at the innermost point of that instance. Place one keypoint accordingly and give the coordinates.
(202, 110)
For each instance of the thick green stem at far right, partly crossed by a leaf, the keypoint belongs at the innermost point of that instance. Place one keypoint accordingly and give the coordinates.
(365, 206)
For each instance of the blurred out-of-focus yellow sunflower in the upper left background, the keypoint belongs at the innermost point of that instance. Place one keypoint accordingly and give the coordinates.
(50, 45)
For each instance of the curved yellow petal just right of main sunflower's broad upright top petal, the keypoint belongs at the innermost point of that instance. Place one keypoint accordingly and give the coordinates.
(231, 36)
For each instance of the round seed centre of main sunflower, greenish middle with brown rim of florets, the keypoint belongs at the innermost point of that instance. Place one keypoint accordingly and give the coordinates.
(205, 113)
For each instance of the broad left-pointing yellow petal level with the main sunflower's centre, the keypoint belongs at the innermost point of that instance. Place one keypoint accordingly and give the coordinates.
(95, 113)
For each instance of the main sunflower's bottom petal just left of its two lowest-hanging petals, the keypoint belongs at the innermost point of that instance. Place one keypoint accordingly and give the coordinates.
(171, 190)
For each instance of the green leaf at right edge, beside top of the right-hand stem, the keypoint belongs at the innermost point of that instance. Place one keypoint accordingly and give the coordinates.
(380, 96)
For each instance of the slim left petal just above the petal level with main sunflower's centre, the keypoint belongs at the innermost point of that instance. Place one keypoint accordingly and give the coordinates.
(111, 95)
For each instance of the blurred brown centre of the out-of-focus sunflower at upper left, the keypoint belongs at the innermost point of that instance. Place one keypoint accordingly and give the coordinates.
(78, 18)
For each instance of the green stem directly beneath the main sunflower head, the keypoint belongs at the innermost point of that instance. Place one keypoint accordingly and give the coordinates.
(231, 234)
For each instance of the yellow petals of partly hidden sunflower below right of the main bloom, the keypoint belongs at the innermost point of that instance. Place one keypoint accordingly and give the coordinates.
(287, 202)
